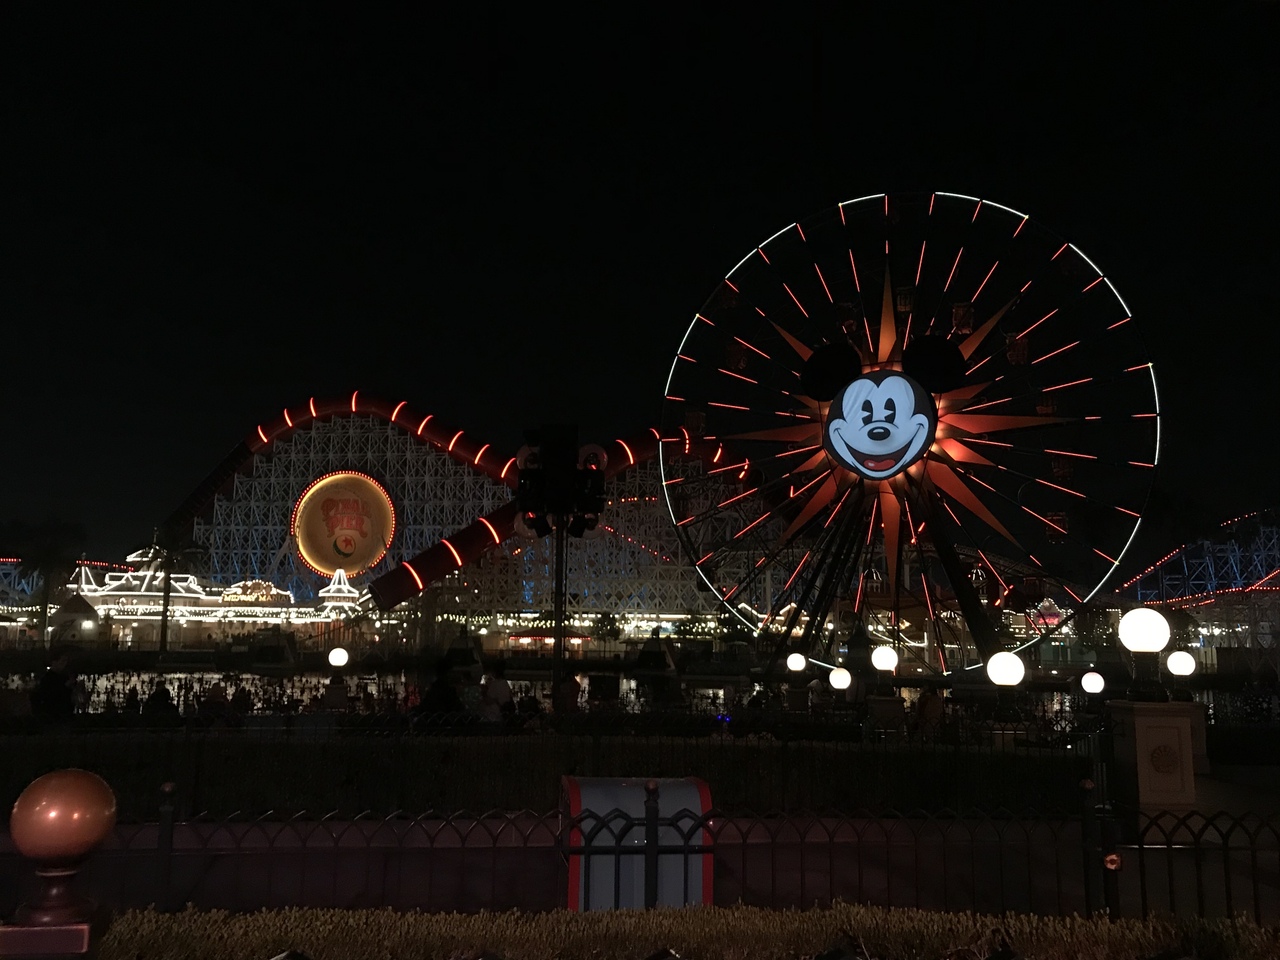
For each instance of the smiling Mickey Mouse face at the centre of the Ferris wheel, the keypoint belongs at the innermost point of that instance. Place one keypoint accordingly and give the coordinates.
(880, 424)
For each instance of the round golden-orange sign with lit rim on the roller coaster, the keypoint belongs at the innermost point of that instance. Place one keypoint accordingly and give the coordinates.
(344, 520)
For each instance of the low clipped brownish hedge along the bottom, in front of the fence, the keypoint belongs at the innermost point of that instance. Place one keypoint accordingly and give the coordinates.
(697, 934)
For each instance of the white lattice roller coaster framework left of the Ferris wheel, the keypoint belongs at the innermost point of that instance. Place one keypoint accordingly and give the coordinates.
(440, 486)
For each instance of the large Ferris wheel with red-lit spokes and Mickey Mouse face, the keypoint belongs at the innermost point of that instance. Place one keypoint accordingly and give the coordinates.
(934, 422)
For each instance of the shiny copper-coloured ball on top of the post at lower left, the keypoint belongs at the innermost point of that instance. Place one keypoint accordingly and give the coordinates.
(62, 817)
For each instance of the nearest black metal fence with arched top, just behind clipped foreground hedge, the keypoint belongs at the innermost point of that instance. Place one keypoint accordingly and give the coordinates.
(984, 862)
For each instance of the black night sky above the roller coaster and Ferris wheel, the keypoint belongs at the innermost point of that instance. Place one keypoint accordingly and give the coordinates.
(509, 216)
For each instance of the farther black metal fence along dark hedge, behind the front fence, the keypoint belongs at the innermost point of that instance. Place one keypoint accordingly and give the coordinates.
(332, 765)
